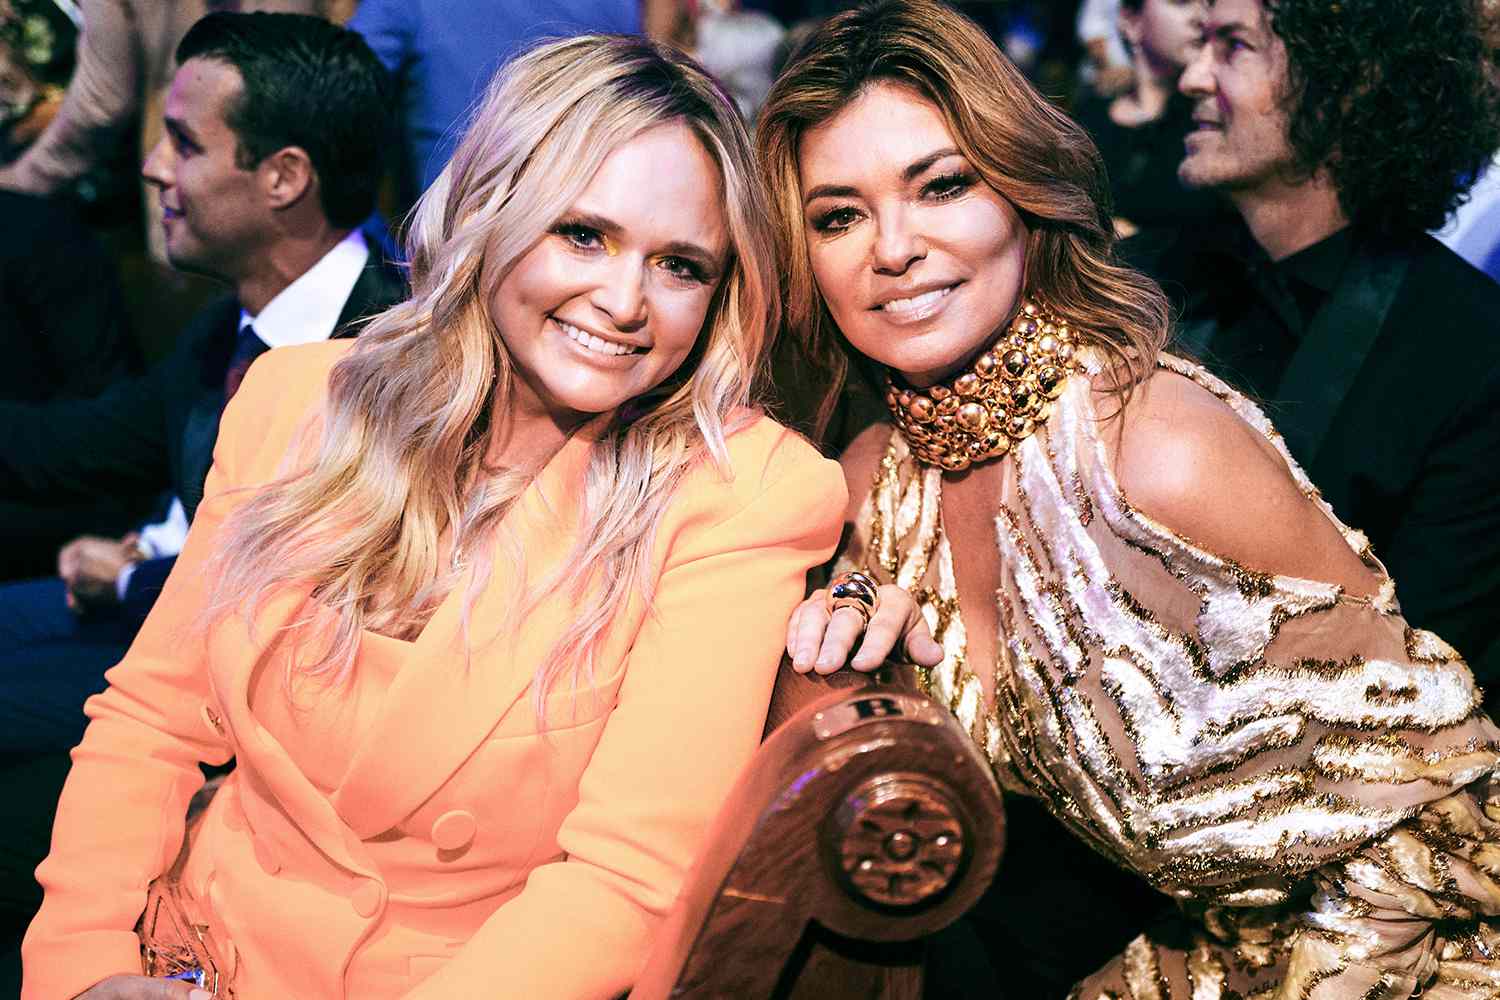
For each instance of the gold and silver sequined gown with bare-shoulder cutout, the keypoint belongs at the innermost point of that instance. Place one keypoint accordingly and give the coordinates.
(1304, 773)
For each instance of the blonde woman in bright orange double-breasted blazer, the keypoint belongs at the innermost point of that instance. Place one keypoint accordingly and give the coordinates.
(485, 606)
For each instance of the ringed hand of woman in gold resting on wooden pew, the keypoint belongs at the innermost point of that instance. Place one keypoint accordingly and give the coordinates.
(818, 641)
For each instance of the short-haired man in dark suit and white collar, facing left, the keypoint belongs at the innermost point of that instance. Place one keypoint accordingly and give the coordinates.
(275, 130)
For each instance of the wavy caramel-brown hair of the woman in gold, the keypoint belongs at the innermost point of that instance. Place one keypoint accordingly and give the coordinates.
(1022, 146)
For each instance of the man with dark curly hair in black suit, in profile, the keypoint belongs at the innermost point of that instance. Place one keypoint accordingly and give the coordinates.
(1343, 133)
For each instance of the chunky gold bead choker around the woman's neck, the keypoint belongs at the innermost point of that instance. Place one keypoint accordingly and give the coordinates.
(1000, 401)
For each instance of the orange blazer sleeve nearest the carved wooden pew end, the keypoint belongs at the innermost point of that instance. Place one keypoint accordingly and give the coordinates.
(688, 720)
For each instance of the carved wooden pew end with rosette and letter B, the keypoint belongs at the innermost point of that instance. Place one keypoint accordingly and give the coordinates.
(866, 822)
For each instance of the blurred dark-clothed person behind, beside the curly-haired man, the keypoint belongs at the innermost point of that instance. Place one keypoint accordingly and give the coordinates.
(1141, 130)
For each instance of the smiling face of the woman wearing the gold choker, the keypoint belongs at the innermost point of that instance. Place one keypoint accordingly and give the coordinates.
(920, 262)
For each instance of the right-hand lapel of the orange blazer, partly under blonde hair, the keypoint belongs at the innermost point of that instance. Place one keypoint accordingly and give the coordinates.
(457, 687)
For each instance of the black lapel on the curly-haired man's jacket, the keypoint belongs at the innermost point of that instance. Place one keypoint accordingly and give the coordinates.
(1334, 350)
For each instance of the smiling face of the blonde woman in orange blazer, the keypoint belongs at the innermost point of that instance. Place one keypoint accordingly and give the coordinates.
(611, 302)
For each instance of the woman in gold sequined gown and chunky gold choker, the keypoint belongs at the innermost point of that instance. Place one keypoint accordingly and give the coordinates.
(1148, 617)
